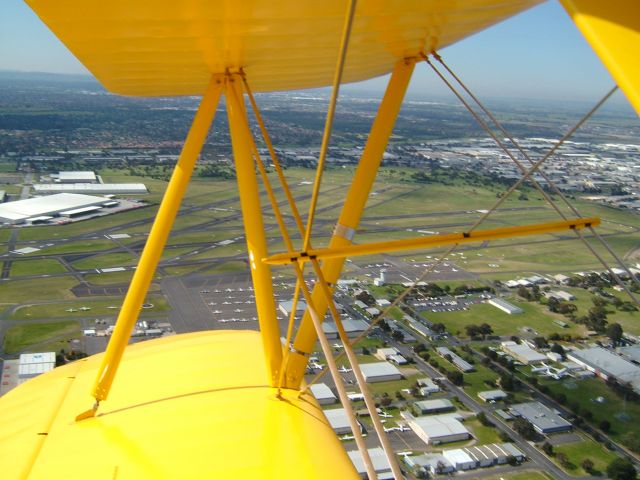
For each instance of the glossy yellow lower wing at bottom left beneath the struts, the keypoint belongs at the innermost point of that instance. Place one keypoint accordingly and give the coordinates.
(189, 406)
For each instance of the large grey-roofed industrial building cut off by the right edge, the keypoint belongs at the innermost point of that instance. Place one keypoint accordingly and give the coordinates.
(607, 364)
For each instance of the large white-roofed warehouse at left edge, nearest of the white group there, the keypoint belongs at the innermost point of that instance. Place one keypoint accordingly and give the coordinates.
(61, 204)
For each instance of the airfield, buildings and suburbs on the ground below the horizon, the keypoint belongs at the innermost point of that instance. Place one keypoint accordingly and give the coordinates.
(515, 358)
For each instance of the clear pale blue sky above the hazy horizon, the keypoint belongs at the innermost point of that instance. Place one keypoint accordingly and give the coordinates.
(538, 54)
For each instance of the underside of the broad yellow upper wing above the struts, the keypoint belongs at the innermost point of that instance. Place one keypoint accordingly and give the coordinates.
(171, 47)
